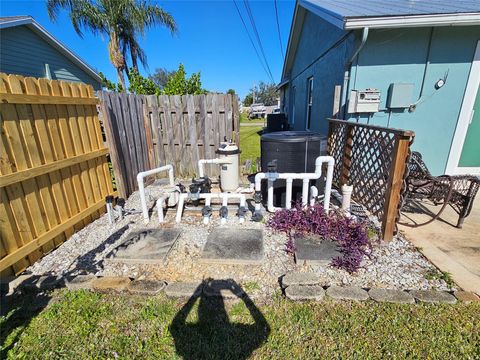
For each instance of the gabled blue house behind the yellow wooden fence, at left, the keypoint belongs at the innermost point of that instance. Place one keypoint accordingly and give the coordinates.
(27, 49)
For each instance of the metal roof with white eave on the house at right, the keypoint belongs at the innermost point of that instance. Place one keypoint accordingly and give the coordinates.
(348, 14)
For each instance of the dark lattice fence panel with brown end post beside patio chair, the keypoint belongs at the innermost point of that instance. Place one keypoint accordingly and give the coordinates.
(373, 159)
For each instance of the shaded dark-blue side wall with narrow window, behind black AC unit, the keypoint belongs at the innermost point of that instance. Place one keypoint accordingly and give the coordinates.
(316, 38)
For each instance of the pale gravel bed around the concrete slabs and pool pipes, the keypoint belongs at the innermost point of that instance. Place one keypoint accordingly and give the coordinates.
(396, 264)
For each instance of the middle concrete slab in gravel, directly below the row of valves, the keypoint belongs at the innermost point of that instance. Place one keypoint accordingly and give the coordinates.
(234, 246)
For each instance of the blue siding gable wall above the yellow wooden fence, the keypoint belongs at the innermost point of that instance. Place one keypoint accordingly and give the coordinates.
(23, 52)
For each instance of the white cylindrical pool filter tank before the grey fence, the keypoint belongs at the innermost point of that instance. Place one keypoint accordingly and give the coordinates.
(229, 173)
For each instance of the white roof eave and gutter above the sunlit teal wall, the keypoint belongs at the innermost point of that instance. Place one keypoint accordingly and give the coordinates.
(463, 19)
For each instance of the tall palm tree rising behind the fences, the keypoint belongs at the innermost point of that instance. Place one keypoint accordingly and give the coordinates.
(121, 20)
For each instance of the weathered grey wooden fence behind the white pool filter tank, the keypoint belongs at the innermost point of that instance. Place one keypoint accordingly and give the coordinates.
(145, 132)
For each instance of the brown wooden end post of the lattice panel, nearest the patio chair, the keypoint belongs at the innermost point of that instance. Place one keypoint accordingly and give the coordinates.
(394, 185)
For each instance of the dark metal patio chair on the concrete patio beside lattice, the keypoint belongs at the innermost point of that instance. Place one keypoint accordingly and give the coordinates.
(458, 191)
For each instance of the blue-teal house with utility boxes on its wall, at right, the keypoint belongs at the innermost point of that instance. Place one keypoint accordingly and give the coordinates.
(404, 64)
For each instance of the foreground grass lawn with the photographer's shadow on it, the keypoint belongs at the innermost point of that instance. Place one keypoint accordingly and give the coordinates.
(85, 325)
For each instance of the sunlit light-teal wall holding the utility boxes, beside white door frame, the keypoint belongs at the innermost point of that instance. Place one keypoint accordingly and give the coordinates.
(401, 55)
